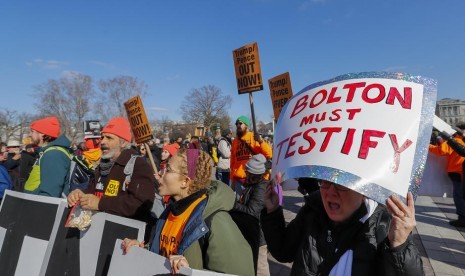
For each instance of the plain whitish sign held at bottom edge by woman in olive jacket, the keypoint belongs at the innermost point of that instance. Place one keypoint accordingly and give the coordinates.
(139, 261)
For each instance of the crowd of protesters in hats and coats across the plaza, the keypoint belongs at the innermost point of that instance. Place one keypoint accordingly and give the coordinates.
(209, 204)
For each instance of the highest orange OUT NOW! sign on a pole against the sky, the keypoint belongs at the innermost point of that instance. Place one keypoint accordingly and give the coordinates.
(248, 71)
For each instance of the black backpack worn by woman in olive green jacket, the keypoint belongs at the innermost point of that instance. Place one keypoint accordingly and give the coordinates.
(247, 224)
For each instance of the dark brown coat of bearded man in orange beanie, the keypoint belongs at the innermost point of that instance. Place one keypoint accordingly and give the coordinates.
(136, 200)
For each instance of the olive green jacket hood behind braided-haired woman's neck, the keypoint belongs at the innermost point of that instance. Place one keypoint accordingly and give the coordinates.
(220, 198)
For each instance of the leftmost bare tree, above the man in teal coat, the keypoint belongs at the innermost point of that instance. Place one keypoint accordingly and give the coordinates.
(67, 98)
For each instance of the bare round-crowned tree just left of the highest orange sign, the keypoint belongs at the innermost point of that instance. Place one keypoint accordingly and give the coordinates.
(205, 105)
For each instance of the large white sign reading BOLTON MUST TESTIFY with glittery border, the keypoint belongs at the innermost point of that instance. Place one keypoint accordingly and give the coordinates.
(366, 131)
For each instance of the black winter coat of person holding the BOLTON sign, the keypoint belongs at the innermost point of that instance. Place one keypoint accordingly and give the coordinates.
(311, 239)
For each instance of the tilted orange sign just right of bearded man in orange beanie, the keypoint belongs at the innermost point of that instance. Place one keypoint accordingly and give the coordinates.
(138, 120)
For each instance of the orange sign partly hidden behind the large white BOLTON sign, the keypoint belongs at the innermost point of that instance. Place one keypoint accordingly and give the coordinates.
(280, 92)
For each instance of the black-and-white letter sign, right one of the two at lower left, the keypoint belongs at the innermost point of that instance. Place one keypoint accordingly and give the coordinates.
(89, 252)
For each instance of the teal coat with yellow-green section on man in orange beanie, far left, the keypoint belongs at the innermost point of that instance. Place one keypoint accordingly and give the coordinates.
(54, 170)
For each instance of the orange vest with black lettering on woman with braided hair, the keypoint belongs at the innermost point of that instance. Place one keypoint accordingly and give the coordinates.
(171, 235)
